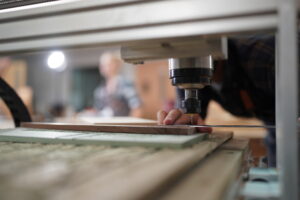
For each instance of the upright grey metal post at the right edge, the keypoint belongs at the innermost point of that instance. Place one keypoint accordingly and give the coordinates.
(287, 137)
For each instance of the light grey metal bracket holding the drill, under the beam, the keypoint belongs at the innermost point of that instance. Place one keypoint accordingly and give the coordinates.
(175, 48)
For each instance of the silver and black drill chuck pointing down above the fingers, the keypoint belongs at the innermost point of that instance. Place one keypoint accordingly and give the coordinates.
(191, 74)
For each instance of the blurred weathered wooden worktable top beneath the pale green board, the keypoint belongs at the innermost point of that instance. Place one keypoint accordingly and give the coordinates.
(33, 171)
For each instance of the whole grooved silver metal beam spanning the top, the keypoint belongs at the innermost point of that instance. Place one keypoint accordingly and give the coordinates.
(89, 22)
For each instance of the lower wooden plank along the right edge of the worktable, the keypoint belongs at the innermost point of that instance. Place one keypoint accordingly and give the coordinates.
(213, 178)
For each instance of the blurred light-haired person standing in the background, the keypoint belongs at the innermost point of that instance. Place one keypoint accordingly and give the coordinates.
(118, 96)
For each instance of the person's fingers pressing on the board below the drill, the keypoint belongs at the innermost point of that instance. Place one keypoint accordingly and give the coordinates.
(176, 117)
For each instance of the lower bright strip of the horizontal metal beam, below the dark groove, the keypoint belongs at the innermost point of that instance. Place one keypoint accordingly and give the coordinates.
(143, 34)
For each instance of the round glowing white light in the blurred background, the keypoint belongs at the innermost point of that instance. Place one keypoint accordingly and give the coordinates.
(56, 60)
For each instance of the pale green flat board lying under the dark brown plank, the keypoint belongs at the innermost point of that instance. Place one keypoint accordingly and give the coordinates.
(96, 138)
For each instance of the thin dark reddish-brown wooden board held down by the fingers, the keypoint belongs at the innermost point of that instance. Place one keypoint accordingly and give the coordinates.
(141, 129)
